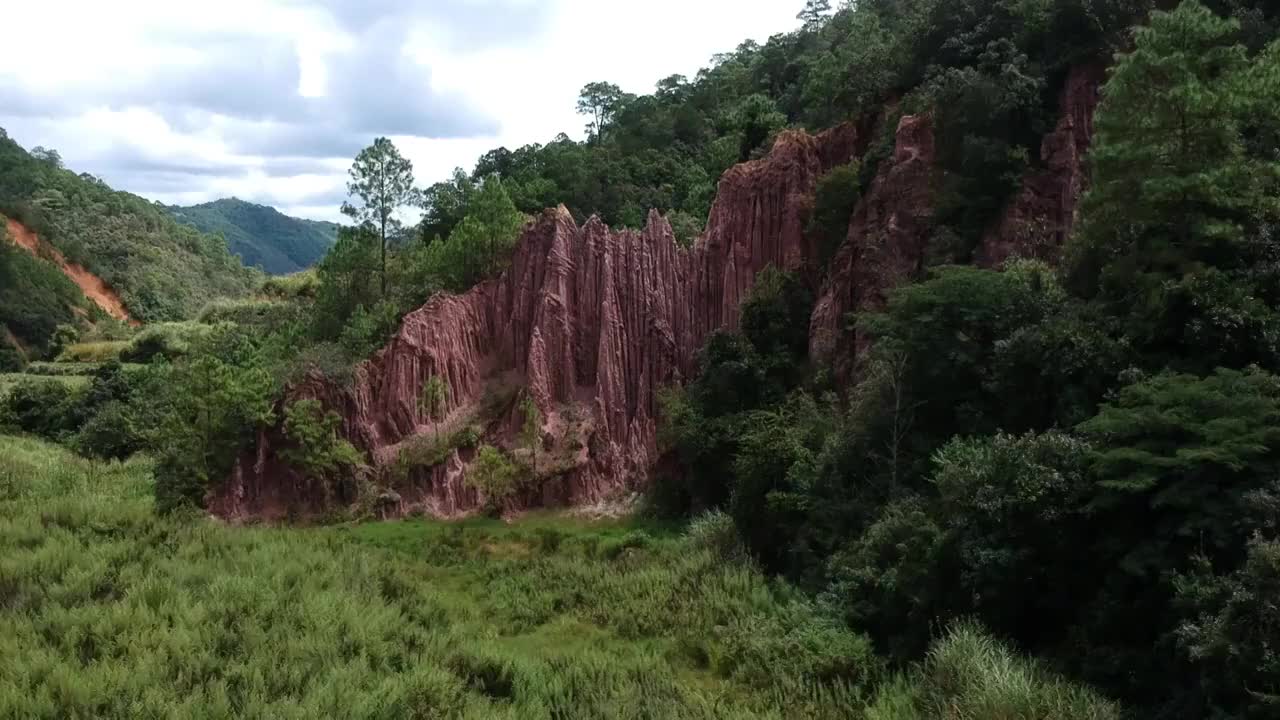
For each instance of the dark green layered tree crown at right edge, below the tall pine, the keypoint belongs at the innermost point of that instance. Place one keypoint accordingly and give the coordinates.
(1178, 454)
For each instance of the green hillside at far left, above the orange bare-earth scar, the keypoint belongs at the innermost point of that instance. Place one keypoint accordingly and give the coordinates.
(162, 270)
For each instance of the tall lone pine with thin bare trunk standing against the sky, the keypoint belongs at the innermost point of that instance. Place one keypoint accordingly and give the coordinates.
(382, 180)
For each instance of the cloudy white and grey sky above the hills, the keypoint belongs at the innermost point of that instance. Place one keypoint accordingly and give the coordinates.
(269, 101)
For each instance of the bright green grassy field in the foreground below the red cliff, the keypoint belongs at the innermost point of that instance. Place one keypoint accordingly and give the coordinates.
(108, 610)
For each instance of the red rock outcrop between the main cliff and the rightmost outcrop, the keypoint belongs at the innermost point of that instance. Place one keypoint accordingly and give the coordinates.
(885, 249)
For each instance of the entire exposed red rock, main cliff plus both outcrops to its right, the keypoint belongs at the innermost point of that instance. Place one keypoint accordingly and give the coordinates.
(592, 322)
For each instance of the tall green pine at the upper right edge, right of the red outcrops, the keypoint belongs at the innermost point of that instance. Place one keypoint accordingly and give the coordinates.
(1178, 190)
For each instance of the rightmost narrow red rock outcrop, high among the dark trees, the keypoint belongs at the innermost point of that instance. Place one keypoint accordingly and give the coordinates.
(1039, 221)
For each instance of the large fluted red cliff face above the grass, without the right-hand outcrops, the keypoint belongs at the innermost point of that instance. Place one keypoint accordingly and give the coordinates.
(588, 321)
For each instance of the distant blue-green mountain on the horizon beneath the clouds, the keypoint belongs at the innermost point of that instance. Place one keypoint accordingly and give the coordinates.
(260, 235)
